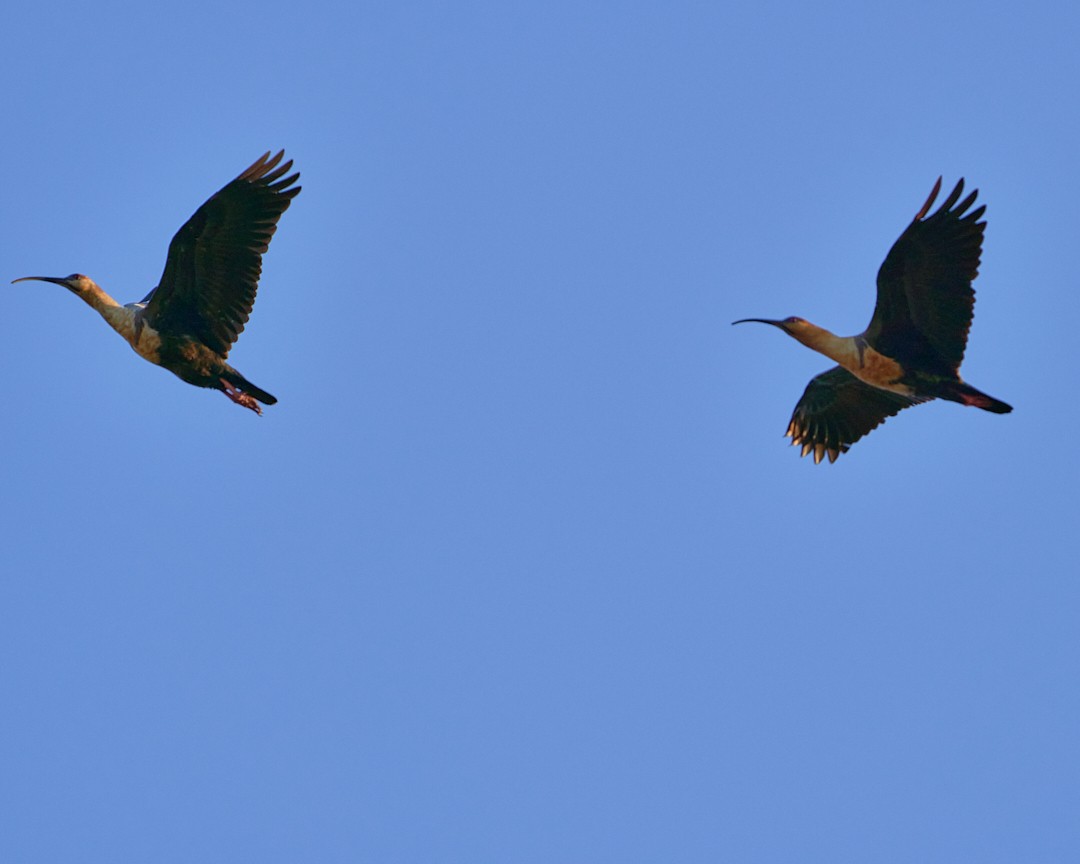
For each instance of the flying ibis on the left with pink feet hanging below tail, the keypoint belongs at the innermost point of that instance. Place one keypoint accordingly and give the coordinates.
(191, 321)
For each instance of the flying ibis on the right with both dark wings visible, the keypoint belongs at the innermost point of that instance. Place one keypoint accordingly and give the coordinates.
(914, 346)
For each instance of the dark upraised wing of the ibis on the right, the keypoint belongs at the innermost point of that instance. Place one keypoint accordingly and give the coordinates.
(925, 300)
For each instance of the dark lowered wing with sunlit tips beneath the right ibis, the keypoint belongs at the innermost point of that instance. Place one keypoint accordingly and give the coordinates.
(838, 410)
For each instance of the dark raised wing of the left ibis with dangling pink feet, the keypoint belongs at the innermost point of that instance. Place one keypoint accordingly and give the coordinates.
(214, 263)
